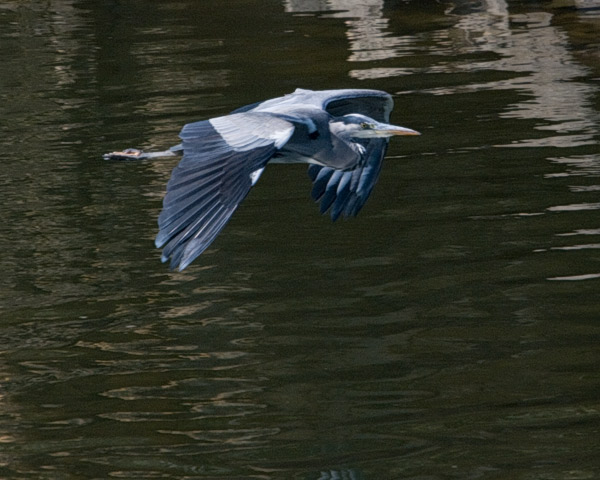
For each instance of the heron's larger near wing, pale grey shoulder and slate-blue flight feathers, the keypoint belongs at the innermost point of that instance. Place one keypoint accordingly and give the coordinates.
(223, 158)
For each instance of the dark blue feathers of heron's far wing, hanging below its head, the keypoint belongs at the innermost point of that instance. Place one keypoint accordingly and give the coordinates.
(345, 192)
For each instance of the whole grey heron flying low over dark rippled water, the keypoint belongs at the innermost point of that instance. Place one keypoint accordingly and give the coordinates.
(342, 135)
